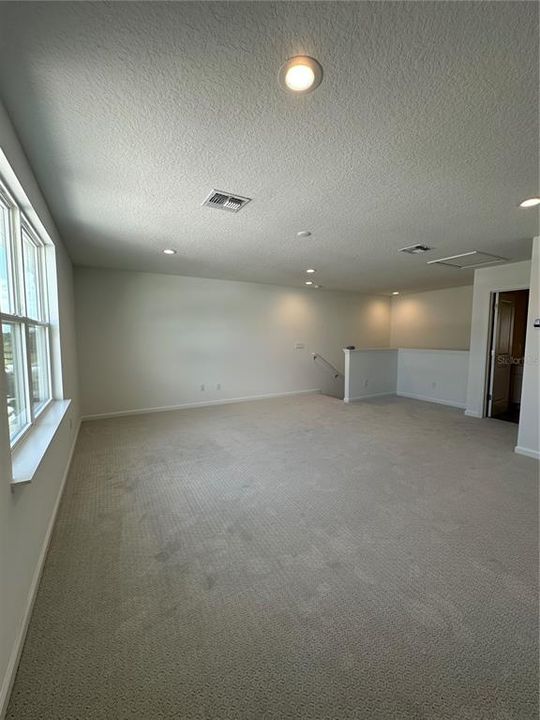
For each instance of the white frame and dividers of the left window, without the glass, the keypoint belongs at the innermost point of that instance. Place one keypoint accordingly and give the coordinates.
(19, 224)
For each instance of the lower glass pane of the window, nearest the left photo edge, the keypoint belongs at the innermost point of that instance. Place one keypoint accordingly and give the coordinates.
(15, 370)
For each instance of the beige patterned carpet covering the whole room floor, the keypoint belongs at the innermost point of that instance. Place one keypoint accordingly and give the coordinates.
(292, 558)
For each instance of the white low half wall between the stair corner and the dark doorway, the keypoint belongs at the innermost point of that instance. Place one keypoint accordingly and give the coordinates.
(434, 375)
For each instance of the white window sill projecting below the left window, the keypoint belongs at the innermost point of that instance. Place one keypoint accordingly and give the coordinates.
(29, 453)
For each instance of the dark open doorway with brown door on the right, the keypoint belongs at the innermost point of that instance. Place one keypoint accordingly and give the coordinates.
(507, 350)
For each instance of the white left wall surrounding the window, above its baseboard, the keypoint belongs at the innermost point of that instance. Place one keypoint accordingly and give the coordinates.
(26, 512)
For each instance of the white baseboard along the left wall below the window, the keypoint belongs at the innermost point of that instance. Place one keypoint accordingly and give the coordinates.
(13, 663)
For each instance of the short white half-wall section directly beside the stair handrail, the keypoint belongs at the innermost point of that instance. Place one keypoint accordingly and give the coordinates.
(369, 373)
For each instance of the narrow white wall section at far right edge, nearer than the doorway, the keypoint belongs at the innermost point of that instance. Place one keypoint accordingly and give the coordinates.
(529, 425)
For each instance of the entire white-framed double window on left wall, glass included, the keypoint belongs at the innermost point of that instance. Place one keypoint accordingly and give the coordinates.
(24, 317)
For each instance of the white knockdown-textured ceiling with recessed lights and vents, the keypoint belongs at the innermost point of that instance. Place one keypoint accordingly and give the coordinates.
(425, 129)
